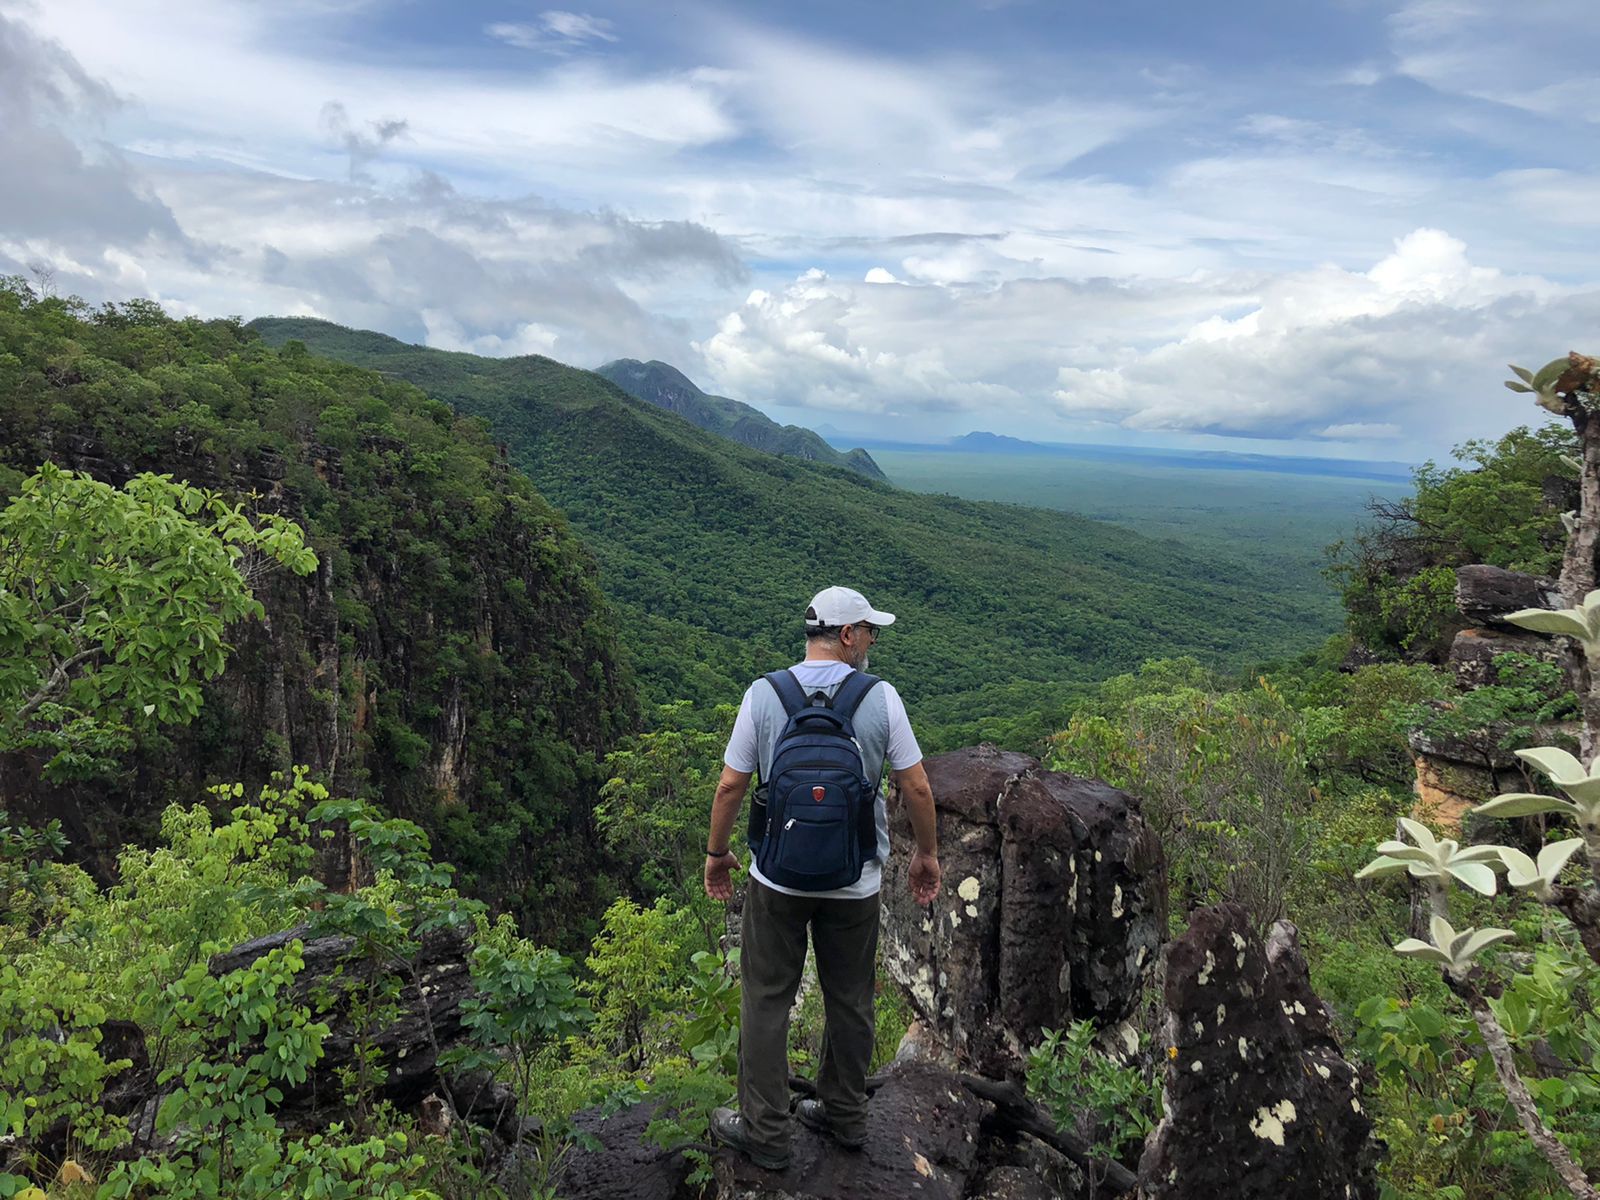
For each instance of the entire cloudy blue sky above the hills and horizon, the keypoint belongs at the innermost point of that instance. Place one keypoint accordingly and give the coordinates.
(1314, 228)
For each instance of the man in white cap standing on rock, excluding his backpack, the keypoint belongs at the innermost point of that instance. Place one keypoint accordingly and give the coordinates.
(844, 922)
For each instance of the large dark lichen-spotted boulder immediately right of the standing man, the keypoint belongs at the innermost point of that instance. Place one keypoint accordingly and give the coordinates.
(1052, 908)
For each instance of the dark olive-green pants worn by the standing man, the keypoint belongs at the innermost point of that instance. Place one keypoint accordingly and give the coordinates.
(846, 938)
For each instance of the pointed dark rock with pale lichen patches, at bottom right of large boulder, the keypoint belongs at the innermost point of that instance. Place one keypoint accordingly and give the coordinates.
(1258, 1098)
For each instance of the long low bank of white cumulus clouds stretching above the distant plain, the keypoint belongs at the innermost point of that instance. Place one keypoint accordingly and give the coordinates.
(1406, 351)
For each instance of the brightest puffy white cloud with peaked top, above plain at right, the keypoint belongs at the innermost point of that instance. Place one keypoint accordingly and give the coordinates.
(1414, 343)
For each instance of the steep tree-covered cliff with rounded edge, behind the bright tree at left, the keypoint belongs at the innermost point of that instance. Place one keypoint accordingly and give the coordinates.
(452, 654)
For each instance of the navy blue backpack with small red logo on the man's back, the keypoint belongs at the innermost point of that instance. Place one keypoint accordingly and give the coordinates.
(820, 828)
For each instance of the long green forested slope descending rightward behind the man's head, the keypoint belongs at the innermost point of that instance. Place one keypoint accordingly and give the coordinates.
(710, 551)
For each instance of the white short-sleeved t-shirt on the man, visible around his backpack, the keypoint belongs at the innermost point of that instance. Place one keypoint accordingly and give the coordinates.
(882, 729)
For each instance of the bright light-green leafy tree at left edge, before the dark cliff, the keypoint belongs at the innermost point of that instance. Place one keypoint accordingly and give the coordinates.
(114, 604)
